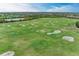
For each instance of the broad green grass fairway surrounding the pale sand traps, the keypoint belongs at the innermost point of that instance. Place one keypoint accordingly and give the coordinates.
(30, 37)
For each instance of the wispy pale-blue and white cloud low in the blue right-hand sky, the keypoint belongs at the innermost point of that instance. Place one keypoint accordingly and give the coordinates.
(66, 8)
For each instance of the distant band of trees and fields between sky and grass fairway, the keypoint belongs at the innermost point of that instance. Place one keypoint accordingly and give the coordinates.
(34, 15)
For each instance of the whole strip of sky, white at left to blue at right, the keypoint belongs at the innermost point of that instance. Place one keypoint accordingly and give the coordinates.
(39, 7)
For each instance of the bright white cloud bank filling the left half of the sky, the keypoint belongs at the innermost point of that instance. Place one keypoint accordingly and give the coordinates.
(16, 7)
